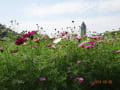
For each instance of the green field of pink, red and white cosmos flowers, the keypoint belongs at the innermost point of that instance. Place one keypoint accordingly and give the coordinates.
(64, 62)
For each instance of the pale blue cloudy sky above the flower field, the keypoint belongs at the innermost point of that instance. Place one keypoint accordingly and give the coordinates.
(98, 15)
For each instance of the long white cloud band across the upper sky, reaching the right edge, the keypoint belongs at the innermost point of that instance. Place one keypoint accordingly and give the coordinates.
(77, 7)
